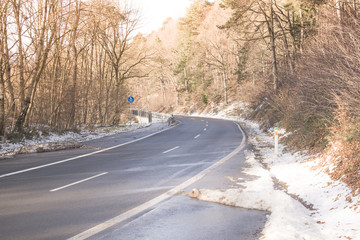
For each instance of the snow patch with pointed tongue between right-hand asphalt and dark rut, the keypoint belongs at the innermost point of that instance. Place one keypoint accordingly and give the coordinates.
(289, 219)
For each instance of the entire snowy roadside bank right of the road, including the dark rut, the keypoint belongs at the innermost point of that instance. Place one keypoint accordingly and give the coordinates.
(304, 202)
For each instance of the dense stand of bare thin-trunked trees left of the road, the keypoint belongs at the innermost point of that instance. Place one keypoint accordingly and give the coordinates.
(64, 63)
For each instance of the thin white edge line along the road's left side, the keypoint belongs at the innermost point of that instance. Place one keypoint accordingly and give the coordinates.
(82, 156)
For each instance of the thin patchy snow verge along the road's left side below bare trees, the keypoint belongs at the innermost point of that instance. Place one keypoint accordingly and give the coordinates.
(53, 141)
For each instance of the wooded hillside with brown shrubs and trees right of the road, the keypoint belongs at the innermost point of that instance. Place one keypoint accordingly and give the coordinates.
(295, 63)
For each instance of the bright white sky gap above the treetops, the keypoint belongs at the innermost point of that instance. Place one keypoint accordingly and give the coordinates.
(155, 12)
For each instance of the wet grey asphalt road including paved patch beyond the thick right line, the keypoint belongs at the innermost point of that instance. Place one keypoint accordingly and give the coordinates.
(59, 195)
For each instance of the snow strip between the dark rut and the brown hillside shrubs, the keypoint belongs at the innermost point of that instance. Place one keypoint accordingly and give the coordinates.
(335, 215)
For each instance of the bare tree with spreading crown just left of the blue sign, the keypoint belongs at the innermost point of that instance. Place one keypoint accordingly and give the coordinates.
(121, 22)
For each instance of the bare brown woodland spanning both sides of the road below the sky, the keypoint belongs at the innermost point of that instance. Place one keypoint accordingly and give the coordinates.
(67, 63)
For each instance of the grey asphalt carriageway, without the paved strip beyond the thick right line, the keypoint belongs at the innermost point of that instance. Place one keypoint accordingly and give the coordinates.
(59, 195)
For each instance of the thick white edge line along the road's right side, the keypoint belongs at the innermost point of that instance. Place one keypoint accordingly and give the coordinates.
(137, 210)
